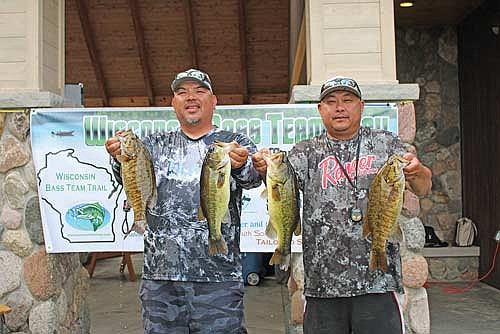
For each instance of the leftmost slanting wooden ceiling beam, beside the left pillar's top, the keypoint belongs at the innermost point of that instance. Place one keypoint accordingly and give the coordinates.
(89, 41)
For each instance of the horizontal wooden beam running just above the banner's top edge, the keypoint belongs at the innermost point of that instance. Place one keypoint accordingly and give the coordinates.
(164, 100)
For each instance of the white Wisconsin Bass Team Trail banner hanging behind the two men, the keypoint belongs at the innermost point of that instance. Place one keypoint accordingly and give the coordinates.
(82, 204)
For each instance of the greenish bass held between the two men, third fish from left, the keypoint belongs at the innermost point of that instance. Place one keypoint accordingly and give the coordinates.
(283, 206)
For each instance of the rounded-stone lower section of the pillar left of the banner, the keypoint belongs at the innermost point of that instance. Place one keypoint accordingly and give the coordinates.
(45, 291)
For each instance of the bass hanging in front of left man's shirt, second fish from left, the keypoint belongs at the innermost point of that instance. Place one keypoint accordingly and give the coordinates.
(215, 193)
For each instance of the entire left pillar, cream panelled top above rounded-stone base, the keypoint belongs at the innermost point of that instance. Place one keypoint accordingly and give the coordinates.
(45, 291)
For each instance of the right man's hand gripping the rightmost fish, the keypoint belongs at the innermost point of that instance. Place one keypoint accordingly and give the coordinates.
(417, 175)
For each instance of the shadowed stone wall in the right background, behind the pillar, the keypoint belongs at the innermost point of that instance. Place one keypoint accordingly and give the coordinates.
(428, 56)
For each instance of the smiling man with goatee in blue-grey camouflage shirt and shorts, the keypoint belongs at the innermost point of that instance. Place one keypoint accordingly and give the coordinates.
(184, 289)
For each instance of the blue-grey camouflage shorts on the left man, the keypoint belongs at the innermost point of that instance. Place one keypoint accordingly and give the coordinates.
(192, 307)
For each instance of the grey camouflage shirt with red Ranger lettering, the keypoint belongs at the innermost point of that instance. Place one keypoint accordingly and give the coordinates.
(336, 256)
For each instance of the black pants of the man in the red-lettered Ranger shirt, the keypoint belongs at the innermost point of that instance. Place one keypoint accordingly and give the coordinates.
(366, 314)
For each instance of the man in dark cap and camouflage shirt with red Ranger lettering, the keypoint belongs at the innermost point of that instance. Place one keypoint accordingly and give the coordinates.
(335, 171)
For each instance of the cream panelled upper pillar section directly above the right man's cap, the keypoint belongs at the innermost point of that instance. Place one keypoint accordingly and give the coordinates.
(350, 37)
